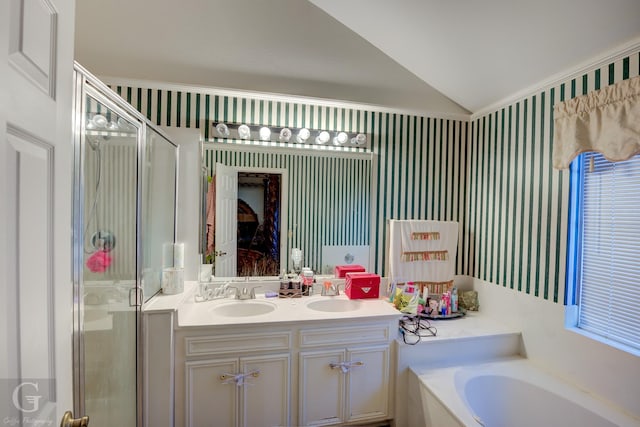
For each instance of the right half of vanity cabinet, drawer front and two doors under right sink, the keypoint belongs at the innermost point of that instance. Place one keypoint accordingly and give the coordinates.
(344, 376)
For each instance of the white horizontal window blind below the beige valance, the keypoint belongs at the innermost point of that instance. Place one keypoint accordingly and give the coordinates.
(609, 257)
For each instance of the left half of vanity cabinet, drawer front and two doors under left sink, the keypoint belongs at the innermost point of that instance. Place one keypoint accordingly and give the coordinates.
(235, 381)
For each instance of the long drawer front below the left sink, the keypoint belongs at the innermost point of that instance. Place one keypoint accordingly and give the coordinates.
(225, 344)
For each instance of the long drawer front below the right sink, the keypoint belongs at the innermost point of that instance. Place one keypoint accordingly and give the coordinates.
(361, 334)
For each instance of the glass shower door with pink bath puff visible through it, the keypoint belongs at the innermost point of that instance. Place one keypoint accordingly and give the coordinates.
(109, 153)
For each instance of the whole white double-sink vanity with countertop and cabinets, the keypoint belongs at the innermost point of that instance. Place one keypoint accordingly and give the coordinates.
(303, 361)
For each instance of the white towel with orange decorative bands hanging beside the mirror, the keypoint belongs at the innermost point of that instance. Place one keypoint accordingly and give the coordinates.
(428, 264)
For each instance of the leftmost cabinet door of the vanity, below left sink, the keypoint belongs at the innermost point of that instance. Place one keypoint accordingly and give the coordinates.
(209, 400)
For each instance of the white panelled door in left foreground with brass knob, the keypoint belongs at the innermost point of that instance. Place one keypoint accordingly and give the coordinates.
(36, 164)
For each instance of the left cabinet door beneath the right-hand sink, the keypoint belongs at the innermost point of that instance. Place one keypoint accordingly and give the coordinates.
(321, 388)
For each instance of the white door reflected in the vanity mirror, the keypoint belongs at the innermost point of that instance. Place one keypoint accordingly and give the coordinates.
(226, 238)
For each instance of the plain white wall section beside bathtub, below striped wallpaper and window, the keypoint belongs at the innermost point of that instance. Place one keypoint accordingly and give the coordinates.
(609, 373)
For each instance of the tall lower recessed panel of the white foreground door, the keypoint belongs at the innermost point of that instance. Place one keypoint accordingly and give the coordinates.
(28, 176)
